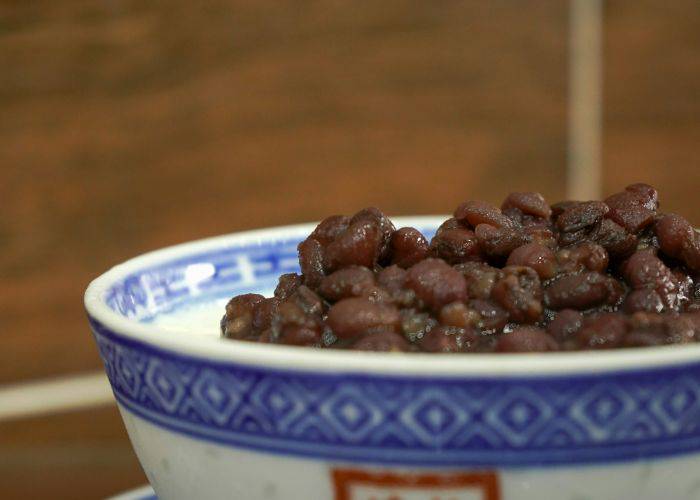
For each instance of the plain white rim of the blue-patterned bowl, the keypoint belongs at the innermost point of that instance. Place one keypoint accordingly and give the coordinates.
(295, 358)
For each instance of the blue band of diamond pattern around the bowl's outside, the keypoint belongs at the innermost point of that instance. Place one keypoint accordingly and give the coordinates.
(403, 420)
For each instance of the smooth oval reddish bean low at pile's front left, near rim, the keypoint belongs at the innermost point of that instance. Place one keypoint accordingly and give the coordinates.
(355, 316)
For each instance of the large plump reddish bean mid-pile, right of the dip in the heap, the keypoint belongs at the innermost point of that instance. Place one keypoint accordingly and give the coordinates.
(436, 283)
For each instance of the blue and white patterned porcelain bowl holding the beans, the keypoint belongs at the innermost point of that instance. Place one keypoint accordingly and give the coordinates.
(214, 418)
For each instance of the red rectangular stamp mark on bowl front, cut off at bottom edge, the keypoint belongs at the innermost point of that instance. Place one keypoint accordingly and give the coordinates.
(352, 484)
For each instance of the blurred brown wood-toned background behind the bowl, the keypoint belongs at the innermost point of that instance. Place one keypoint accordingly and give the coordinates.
(127, 126)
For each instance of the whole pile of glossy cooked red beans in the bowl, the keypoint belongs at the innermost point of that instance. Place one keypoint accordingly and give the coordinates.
(526, 277)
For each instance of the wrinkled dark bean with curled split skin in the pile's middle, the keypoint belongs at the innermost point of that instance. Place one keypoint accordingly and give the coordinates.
(519, 293)
